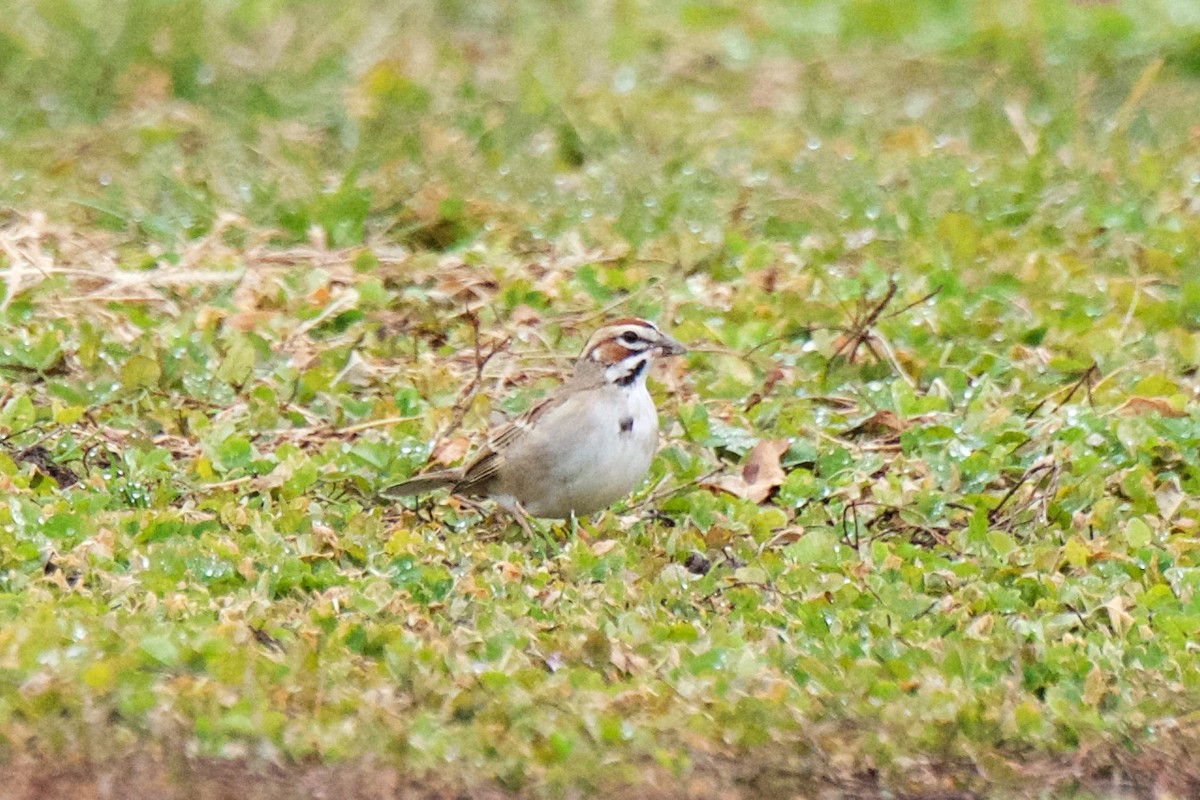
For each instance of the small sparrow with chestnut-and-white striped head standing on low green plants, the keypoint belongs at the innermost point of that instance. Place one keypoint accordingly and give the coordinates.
(583, 448)
